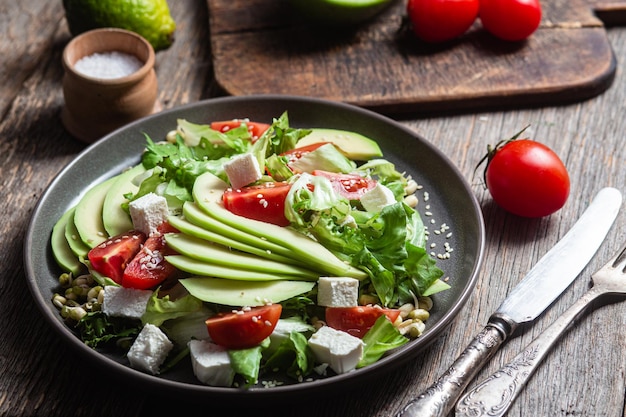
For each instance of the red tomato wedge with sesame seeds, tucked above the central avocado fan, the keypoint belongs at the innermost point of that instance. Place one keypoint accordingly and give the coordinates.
(264, 202)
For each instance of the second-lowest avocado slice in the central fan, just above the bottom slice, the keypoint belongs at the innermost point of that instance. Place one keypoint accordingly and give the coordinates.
(241, 273)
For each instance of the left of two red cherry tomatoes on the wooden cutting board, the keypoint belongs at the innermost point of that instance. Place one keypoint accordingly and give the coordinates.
(441, 20)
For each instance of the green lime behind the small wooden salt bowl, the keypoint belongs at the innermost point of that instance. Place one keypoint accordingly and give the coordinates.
(149, 18)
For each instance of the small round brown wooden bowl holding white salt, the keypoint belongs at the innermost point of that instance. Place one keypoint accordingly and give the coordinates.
(94, 106)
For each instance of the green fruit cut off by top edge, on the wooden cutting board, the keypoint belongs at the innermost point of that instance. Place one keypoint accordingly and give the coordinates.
(335, 12)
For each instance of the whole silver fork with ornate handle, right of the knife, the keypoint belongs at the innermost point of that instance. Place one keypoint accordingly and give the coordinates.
(494, 396)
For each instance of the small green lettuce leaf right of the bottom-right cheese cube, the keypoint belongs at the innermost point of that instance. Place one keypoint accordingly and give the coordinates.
(380, 338)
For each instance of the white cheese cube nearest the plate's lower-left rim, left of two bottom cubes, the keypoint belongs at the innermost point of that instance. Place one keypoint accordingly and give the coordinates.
(149, 350)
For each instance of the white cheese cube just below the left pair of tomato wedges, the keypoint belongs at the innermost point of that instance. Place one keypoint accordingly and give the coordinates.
(125, 302)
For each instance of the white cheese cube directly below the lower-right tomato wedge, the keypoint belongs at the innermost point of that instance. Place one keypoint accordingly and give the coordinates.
(340, 350)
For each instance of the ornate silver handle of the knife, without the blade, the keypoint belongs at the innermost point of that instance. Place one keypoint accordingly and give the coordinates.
(439, 399)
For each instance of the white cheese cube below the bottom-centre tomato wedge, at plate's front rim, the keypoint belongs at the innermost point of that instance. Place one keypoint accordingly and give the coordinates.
(211, 363)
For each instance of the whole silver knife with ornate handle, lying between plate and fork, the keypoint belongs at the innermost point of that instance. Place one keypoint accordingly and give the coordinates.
(543, 284)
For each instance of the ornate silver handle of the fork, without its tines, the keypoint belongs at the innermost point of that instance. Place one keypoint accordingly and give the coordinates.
(494, 396)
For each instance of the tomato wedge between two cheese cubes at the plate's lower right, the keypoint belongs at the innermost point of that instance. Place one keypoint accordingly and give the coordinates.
(357, 320)
